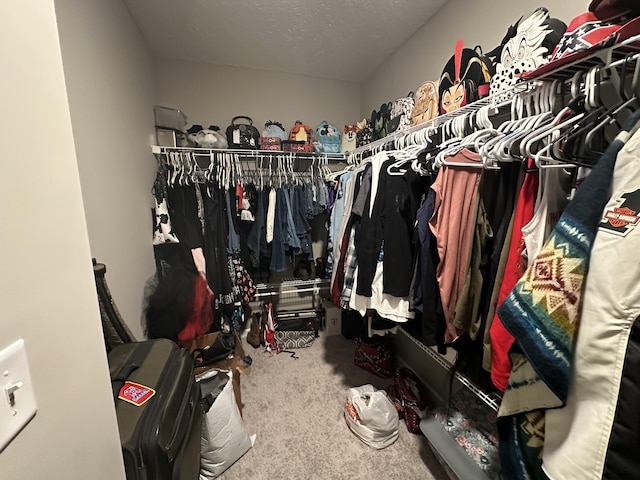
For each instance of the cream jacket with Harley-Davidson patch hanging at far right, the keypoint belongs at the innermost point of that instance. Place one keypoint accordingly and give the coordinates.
(596, 434)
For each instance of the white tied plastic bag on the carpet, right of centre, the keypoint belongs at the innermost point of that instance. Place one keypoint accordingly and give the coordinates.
(371, 416)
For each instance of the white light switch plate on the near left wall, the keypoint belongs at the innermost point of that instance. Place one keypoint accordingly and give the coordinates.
(17, 399)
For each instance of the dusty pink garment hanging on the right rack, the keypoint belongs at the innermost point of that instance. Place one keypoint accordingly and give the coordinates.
(456, 190)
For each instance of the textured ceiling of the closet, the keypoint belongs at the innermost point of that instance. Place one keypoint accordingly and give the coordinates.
(338, 39)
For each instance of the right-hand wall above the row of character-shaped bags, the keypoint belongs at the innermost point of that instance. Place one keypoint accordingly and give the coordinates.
(425, 54)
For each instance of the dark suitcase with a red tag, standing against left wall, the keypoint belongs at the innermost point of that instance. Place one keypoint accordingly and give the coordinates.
(158, 409)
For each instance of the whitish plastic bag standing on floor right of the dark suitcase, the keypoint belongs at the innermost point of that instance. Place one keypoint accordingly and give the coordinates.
(224, 436)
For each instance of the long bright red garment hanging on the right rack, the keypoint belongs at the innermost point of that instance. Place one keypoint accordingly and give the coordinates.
(501, 339)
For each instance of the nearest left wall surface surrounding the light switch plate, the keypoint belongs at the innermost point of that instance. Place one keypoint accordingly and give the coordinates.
(47, 290)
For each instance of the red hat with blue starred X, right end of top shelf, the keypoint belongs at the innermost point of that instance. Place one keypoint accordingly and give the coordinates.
(587, 33)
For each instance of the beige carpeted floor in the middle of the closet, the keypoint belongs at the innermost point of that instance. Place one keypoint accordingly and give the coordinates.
(295, 408)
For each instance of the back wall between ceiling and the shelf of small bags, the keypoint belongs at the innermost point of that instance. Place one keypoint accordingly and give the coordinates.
(214, 94)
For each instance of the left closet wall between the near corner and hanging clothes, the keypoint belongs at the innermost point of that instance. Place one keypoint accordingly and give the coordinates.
(111, 88)
